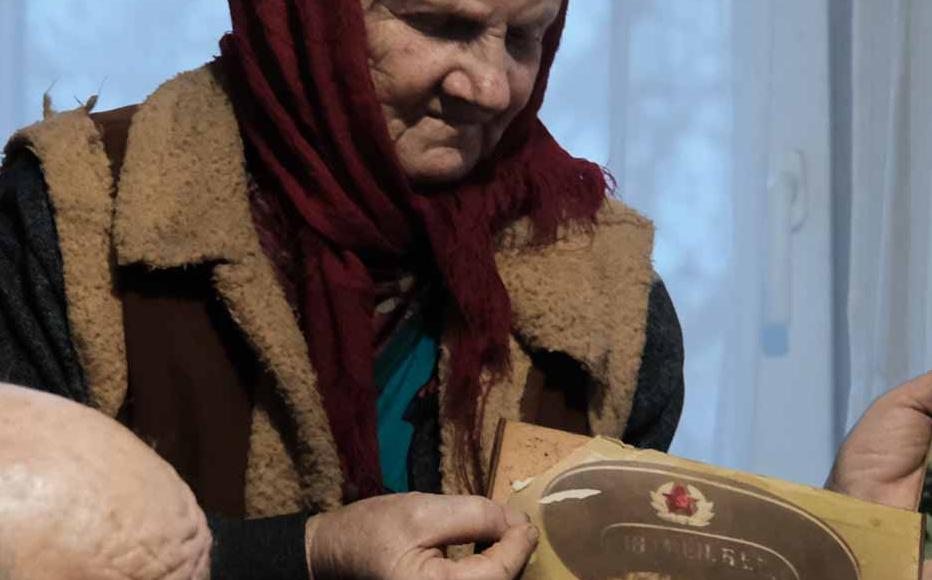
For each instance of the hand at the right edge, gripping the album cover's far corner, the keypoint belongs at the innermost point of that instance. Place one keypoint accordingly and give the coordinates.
(884, 457)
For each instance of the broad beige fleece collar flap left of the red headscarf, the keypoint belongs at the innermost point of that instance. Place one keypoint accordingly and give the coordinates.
(183, 184)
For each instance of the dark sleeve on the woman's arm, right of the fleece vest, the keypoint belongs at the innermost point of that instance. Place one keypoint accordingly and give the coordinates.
(658, 400)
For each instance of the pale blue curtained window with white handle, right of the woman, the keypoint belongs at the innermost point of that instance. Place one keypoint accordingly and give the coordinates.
(714, 117)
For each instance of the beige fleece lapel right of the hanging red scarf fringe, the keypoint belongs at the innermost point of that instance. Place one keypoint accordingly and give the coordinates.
(587, 296)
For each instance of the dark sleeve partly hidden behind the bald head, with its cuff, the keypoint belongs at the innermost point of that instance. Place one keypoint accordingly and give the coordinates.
(36, 352)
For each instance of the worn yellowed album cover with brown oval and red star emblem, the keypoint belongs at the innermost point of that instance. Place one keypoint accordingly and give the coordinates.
(607, 510)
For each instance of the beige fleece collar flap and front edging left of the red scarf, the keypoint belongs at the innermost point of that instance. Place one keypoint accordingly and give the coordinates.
(184, 199)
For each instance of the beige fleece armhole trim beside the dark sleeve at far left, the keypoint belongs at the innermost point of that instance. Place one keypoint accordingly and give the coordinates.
(80, 187)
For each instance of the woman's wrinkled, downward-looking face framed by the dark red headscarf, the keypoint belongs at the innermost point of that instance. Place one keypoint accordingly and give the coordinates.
(451, 75)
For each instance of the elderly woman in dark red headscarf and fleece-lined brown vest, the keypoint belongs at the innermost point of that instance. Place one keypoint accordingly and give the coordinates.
(322, 268)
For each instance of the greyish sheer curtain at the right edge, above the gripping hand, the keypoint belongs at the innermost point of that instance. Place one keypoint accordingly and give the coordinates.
(890, 300)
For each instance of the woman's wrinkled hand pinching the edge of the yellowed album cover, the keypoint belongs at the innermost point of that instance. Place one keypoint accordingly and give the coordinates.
(402, 537)
